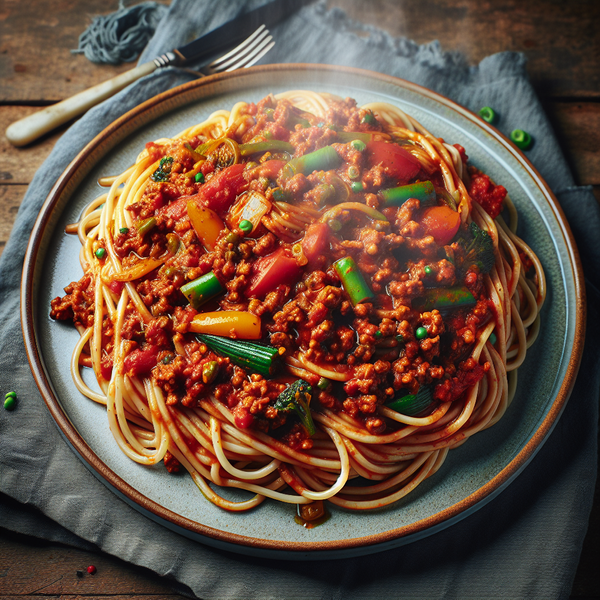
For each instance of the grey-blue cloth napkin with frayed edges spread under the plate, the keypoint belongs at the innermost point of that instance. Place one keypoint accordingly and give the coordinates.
(524, 544)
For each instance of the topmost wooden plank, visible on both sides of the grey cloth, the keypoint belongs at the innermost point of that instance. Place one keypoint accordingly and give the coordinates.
(36, 63)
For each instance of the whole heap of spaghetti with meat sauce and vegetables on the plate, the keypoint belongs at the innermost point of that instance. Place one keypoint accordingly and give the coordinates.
(304, 299)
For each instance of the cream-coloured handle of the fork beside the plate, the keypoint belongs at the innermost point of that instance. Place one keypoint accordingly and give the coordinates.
(32, 127)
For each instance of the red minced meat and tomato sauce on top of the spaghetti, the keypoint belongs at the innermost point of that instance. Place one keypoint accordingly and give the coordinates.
(284, 274)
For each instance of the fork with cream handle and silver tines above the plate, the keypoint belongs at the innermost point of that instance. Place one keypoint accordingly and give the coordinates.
(32, 127)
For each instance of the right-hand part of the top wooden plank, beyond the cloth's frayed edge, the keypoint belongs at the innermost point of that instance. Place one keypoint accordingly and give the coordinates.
(560, 39)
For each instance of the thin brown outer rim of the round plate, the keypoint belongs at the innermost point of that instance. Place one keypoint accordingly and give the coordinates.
(240, 543)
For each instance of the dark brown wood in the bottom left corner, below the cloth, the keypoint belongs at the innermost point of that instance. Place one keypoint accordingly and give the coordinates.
(30, 568)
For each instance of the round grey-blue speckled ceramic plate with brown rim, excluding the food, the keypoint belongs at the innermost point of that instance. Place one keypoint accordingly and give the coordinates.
(472, 474)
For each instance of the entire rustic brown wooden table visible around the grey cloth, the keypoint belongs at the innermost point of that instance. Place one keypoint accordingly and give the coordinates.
(561, 42)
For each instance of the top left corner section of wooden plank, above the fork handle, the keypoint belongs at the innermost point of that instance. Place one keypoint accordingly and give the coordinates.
(36, 62)
